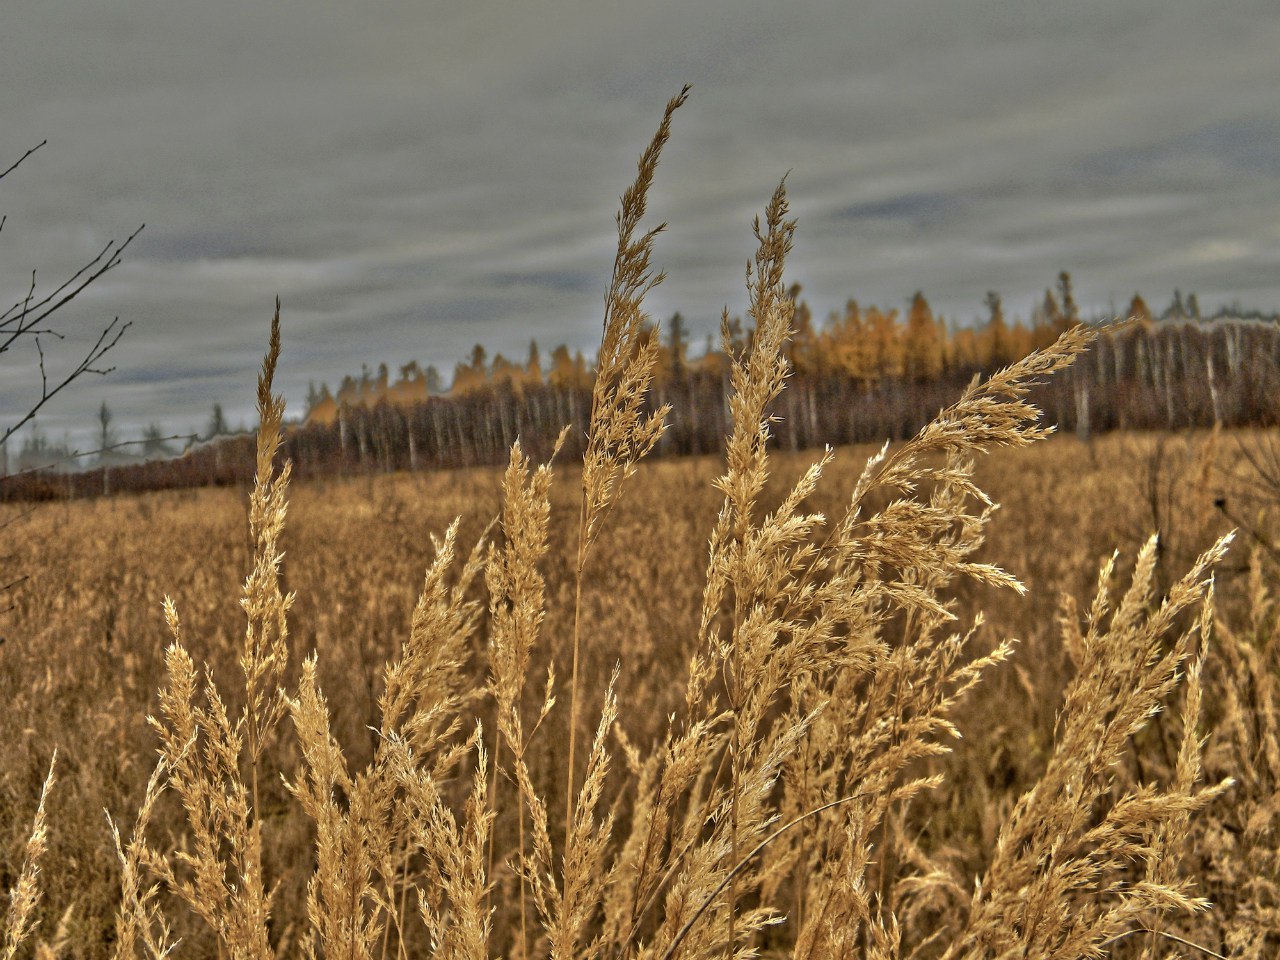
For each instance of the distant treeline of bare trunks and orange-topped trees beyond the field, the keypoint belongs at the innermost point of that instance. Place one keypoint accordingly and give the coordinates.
(863, 376)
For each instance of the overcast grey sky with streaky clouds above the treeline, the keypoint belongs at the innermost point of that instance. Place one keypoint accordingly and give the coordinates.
(413, 179)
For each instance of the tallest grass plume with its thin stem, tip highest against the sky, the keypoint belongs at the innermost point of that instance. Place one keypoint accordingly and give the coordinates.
(620, 433)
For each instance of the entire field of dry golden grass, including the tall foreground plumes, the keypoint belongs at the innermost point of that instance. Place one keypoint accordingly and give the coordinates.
(749, 706)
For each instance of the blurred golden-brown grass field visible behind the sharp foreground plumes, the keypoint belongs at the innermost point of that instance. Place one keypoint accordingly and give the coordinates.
(84, 652)
